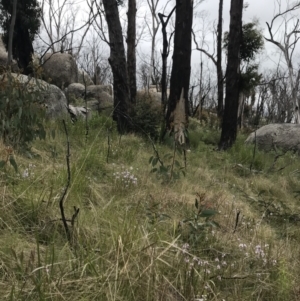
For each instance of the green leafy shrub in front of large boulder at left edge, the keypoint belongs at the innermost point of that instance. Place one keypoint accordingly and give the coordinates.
(21, 114)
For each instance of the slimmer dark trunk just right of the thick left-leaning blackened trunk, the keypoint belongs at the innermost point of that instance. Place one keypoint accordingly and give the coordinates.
(131, 47)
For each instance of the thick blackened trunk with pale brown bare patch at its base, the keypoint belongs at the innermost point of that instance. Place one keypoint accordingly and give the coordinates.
(177, 113)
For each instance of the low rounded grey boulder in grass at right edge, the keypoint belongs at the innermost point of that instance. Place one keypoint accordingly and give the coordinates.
(283, 136)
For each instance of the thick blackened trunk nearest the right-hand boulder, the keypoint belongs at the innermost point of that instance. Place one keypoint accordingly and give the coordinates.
(229, 124)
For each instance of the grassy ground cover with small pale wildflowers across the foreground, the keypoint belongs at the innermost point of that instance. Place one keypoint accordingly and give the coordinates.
(213, 226)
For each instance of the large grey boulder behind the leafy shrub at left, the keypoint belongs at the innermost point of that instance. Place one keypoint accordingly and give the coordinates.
(51, 96)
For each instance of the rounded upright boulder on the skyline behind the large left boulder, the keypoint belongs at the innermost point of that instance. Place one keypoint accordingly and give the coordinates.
(60, 69)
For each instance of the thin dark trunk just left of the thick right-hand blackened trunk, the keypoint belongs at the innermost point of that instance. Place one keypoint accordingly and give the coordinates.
(219, 61)
